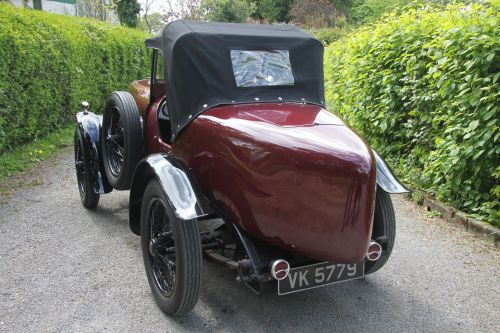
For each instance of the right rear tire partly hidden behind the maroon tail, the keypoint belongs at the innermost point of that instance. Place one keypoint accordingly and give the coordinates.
(384, 224)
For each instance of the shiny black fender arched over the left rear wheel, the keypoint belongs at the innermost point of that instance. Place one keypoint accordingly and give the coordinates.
(177, 184)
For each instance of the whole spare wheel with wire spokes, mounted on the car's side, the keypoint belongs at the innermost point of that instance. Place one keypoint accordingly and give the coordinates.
(122, 139)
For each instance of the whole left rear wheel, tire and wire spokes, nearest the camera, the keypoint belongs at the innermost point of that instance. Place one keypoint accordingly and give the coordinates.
(171, 250)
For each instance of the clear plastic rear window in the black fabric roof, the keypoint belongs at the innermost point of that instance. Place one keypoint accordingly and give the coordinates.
(262, 68)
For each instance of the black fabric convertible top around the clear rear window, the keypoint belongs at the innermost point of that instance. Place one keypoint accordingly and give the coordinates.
(199, 67)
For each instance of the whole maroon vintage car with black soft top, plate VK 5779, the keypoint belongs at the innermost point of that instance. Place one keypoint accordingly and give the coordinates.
(229, 155)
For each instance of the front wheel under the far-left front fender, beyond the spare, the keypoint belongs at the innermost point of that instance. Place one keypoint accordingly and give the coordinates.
(89, 198)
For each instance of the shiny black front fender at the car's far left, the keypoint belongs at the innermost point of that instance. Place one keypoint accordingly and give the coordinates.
(89, 125)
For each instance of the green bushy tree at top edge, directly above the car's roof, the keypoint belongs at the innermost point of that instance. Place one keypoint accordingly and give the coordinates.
(226, 10)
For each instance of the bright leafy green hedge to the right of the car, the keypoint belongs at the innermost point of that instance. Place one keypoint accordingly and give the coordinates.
(423, 89)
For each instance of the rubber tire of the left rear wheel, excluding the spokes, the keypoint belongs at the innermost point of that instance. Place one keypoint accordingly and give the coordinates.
(188, 257)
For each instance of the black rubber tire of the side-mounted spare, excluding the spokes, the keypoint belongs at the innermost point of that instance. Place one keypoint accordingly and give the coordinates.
(133, 138)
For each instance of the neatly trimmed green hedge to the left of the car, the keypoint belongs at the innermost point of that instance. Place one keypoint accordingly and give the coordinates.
(50, 63)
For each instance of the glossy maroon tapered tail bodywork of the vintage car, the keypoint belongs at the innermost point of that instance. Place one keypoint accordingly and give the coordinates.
(291, 174)
